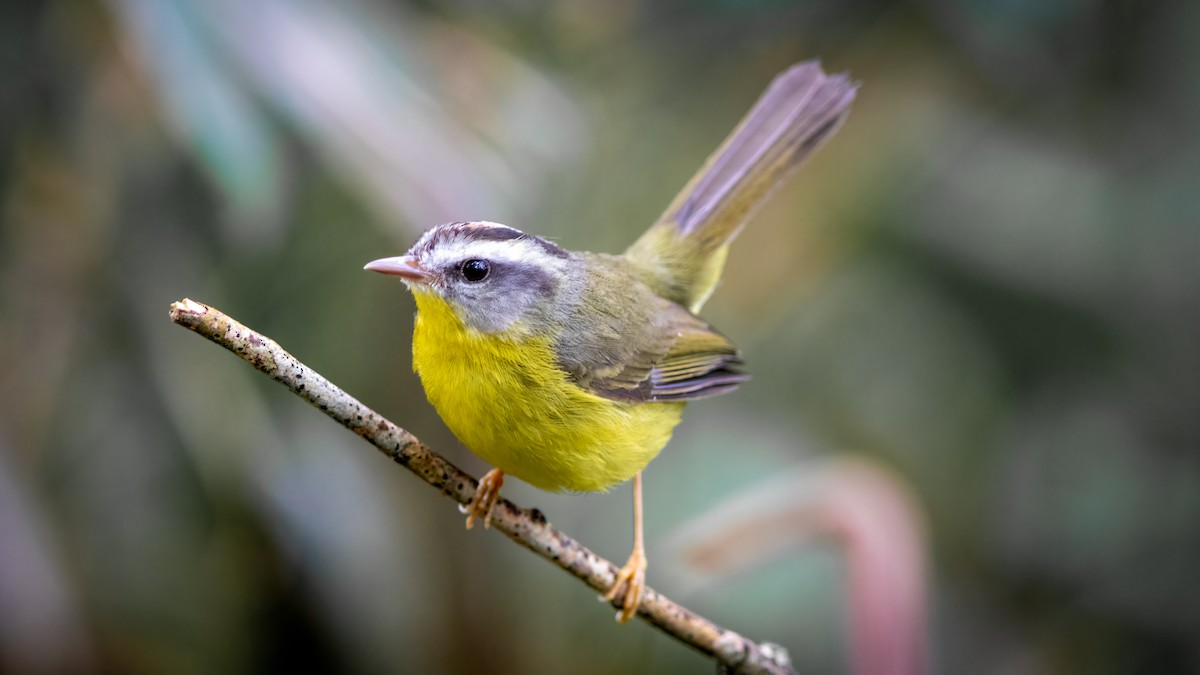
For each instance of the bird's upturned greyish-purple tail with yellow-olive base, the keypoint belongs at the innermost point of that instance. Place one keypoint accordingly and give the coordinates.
(683, 253)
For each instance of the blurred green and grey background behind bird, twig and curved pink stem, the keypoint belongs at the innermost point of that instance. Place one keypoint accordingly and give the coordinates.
(988, 282)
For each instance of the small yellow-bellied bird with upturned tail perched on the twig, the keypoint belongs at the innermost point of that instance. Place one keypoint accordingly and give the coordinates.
(571, 371)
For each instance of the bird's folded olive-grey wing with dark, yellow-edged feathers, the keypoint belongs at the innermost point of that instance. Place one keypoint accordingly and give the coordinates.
(647, 349)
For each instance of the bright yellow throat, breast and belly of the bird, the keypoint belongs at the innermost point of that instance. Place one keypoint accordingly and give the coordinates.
(509, 404)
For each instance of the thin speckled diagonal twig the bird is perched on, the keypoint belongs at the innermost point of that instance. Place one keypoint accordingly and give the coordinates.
(527, 528)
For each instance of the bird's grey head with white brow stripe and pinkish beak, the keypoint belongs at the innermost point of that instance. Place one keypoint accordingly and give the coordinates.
(489, 274)
